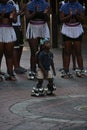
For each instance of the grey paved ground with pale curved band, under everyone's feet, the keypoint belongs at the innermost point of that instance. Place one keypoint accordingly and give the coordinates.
(67, 110)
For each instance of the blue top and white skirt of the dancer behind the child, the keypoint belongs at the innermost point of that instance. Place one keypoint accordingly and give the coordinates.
(37, 28)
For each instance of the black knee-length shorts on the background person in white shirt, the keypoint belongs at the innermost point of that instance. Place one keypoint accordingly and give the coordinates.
(19, 42)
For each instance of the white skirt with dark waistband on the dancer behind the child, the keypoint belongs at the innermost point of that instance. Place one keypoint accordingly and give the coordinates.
(37, 29)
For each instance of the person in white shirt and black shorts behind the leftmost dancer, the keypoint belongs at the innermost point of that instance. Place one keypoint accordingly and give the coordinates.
(18, 48)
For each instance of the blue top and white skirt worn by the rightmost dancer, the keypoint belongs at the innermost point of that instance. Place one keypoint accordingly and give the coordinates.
(69, 29)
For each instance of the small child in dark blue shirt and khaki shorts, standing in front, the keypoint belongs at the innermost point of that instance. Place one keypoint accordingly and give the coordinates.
(45, 63)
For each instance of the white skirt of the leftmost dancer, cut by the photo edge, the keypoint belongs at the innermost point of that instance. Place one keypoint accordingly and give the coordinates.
(7, 34)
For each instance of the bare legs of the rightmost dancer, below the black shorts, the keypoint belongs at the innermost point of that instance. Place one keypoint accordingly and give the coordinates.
(74, 49)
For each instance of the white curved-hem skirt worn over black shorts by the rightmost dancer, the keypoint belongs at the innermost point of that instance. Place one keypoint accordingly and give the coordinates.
(72, 31)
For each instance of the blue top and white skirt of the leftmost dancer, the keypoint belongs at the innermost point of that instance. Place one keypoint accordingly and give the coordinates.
(7, 33)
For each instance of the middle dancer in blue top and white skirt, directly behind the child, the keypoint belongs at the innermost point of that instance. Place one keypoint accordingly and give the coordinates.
(37, 15)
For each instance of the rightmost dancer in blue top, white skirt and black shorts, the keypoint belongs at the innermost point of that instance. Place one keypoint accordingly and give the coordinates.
(72, 16)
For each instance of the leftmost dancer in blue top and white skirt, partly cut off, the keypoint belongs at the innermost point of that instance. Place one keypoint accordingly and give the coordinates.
(7, 35)
